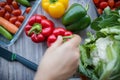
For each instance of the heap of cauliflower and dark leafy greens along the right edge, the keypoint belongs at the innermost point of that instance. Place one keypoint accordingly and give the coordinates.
(100, 55)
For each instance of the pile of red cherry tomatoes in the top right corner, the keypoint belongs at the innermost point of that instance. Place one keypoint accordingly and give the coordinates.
(102, 4)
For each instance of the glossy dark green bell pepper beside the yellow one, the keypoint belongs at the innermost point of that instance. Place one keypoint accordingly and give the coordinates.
(76, 18)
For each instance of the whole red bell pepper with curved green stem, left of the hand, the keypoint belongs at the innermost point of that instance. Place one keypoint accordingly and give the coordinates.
(39, 28)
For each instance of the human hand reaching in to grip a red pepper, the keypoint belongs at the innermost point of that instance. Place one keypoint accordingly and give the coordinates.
(60, 60)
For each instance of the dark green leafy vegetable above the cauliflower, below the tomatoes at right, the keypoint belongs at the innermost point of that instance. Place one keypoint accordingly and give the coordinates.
(107, 19)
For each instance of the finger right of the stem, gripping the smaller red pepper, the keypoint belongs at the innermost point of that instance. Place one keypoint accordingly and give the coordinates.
(75, 41)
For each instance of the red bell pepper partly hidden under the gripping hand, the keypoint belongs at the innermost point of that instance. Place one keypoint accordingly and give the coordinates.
(58, 31)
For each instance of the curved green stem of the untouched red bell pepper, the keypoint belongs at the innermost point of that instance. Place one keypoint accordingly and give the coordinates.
(36, 28)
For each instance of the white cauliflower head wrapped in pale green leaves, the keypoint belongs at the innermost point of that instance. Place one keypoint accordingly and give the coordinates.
(100, 60)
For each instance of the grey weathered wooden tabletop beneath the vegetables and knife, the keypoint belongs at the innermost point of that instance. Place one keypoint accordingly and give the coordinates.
(34, 52)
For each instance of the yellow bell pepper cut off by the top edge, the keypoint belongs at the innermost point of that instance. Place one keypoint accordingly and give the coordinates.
(55, 8)
